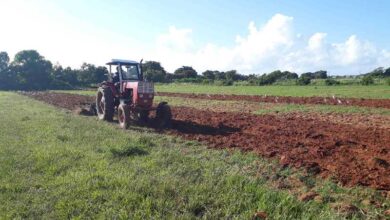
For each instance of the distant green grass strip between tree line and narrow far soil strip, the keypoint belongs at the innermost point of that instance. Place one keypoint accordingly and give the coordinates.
(379, 92)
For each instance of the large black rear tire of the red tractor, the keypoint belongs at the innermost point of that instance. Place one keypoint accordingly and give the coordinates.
(105, 104)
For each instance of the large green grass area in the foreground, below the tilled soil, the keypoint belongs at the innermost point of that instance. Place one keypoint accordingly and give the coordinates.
(58, 165)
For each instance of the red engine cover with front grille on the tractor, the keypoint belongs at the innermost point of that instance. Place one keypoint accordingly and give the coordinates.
(143, 93)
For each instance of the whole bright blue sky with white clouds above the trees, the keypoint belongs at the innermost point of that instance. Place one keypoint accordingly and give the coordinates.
(253, 36)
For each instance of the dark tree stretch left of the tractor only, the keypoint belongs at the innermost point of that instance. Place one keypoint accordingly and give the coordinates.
(31, 71)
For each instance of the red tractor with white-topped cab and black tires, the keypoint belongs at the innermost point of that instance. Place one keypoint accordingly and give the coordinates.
(130, 96)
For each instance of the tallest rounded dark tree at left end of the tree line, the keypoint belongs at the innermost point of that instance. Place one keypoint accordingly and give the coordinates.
(31, 70)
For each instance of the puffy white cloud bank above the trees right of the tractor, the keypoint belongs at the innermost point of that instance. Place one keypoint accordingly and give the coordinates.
(272, 46)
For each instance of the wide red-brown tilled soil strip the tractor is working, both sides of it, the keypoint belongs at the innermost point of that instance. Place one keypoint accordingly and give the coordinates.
(352, 155)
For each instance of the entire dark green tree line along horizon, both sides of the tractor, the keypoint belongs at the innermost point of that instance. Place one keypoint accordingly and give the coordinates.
(31, 71)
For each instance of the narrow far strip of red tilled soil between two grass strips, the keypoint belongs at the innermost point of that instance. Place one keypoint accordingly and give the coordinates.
(377, 103)
